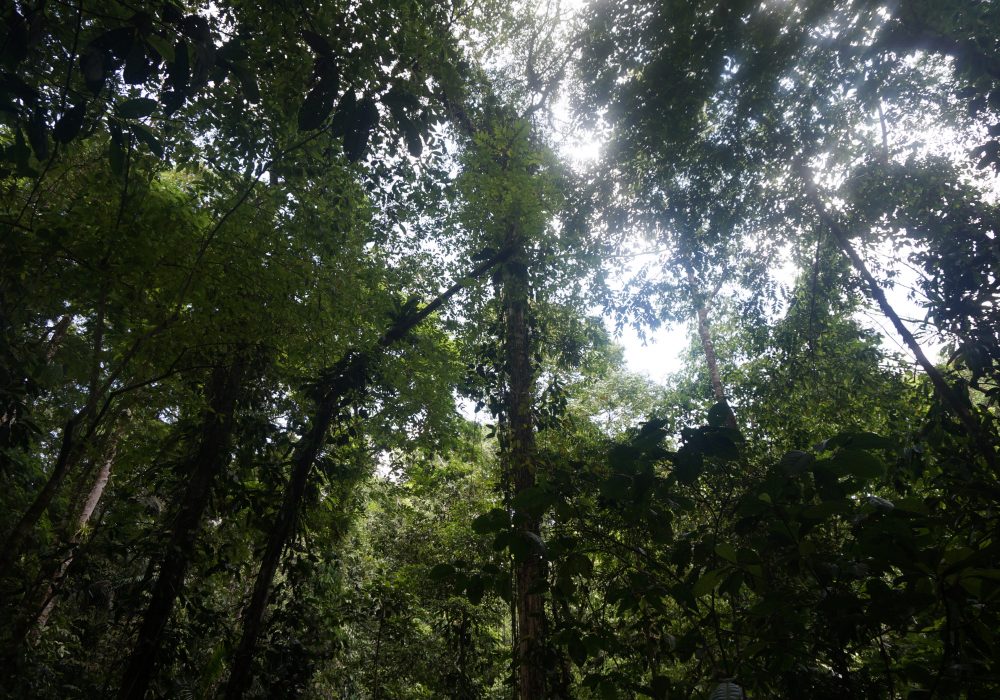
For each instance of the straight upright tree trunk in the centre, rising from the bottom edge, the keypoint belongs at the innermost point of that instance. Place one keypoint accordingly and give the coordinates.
(521, 457)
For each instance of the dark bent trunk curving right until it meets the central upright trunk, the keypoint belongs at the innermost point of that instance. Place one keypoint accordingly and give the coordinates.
(339, 386)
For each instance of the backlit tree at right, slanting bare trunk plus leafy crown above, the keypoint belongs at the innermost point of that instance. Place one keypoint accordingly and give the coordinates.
(729, 63)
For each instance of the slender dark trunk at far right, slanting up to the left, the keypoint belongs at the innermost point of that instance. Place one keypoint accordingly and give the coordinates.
(944, 390)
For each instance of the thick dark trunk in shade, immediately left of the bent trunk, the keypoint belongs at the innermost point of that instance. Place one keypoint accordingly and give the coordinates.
(214, 446)
